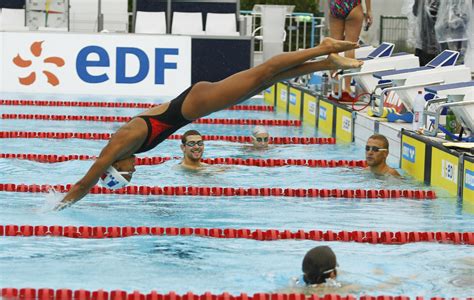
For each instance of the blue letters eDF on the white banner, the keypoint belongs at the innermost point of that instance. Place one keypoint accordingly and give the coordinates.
(84, 62)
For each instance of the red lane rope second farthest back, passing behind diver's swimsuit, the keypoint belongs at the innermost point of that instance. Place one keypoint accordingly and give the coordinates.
(124, 119)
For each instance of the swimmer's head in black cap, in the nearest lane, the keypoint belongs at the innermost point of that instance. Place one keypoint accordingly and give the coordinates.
(319, 264)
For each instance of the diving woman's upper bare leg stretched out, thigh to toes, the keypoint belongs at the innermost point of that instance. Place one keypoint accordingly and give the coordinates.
(205, 97)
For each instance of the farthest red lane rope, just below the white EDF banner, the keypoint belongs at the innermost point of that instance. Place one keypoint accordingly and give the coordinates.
(113, 104)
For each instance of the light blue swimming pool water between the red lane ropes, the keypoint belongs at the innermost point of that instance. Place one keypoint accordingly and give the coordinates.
(199, 264)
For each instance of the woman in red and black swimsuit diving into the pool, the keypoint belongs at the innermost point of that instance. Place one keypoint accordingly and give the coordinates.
(115, 165)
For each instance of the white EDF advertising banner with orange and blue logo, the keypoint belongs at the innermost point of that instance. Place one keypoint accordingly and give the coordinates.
(103, 64)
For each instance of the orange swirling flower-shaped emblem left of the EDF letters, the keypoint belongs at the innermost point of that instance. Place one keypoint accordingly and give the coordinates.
(36, 49)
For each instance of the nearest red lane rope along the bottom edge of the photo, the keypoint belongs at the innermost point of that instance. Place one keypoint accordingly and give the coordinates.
(67, 294)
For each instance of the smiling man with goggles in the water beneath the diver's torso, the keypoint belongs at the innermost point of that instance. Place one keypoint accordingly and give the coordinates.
(192, 146)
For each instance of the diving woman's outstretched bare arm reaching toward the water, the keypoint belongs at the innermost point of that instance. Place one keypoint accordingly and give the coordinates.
(122, 142)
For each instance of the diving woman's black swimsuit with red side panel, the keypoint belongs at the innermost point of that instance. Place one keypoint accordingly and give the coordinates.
(163, 125)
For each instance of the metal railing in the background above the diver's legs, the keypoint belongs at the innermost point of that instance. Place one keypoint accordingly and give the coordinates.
(303, 30)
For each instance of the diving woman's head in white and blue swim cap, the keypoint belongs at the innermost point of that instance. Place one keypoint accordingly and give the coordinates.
(119, 174)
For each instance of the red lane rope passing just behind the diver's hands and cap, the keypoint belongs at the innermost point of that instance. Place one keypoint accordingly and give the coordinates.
(230, 191)
